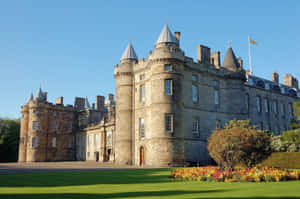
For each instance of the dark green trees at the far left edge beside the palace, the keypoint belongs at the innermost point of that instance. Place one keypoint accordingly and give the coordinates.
(9, 140)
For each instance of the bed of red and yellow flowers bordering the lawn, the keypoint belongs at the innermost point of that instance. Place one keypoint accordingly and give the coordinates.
(239, 174)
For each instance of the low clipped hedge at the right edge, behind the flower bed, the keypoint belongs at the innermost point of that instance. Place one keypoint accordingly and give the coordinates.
(287, 160)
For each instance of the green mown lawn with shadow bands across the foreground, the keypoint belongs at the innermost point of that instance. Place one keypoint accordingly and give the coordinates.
(139, 183)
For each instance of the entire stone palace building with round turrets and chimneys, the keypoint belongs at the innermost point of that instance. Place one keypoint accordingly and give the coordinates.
(166, 107)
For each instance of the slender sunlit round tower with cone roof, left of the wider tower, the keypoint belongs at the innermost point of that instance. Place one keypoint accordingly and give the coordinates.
(124, 92)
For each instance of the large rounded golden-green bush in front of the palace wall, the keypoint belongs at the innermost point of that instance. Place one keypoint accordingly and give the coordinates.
(239, 143)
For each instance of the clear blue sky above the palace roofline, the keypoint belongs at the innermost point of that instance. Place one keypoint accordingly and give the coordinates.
(71, 47)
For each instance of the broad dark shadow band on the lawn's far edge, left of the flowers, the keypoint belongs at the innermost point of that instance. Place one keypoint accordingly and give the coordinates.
(51, 179)
